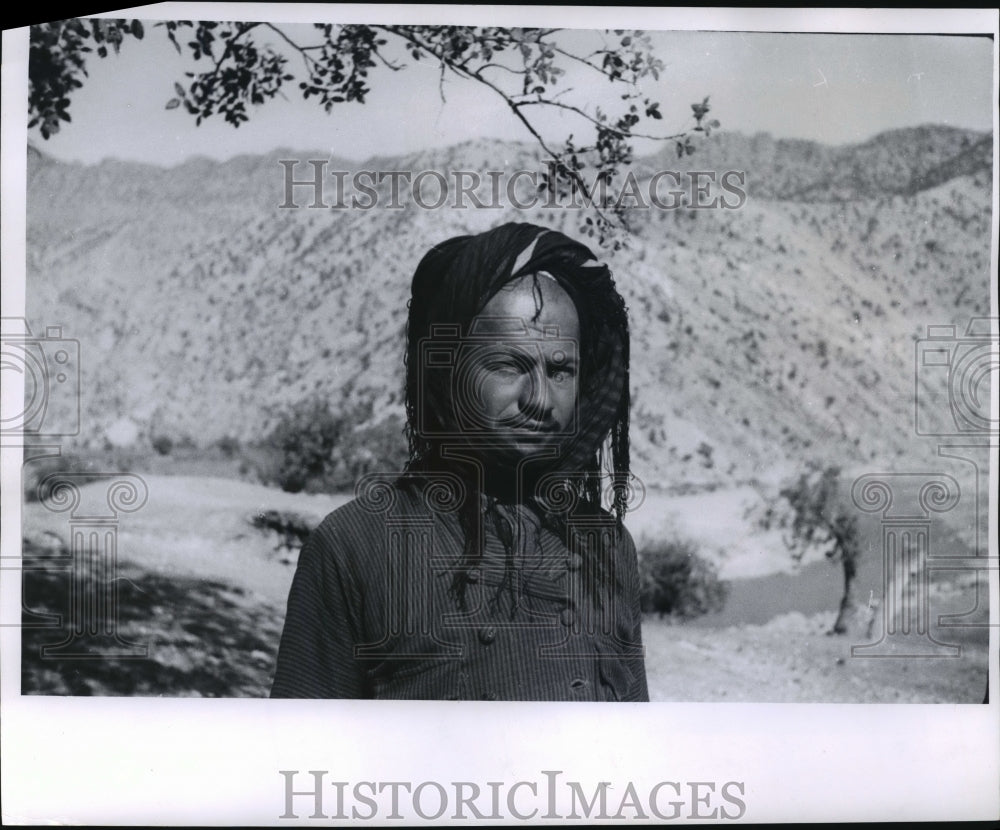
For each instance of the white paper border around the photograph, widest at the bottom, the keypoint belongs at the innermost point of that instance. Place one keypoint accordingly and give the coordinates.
(218, 762)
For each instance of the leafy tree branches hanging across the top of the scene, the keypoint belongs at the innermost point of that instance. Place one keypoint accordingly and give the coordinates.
(238, 66)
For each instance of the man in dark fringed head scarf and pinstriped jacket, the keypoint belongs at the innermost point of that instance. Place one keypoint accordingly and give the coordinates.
(488, 569)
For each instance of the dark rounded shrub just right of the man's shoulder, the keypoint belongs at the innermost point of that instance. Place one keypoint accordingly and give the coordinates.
(675, 580)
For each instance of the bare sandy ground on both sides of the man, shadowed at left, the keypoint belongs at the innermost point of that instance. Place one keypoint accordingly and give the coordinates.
(203, 591)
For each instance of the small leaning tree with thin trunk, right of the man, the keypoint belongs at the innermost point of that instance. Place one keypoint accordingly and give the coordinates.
(821, 518)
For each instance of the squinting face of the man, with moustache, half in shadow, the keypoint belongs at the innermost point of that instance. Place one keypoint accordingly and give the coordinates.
(524, 380)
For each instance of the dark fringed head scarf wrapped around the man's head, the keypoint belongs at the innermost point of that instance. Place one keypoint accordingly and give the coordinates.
(457, 278)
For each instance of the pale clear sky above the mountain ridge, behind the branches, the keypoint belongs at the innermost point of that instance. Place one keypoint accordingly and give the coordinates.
(833, 88)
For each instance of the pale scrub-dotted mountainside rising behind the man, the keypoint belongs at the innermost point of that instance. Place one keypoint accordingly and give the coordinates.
(762, 335)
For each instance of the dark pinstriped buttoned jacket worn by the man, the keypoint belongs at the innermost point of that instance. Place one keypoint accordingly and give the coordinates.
(370, 614)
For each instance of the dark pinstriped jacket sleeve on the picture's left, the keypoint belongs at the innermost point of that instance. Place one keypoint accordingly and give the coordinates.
(316, 653)
